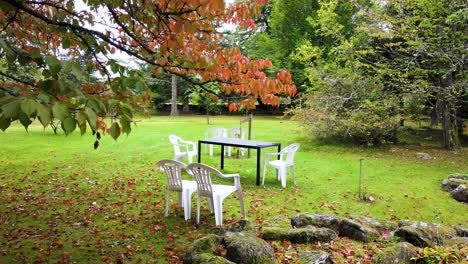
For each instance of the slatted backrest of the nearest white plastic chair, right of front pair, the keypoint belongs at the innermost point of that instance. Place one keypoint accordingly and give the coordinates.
(201, 172)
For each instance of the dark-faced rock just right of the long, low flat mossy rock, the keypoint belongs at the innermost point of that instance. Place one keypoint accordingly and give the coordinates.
(360, 232)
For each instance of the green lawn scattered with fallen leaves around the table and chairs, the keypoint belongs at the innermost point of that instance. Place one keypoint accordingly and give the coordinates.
(61, 200)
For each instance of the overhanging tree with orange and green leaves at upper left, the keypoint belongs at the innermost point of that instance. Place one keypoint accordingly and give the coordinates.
(175, 36)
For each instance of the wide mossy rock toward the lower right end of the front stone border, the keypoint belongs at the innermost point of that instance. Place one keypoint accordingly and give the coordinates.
(423, 234)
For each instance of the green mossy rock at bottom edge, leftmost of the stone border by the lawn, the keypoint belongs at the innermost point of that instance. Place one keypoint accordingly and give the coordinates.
(202, 249)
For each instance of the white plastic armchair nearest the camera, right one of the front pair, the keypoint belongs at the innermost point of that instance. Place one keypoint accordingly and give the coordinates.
(215, 192)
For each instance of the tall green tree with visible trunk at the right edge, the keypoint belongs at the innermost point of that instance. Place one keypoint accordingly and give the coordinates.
(420, 47)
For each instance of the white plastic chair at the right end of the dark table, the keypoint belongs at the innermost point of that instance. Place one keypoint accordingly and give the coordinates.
(285, 160)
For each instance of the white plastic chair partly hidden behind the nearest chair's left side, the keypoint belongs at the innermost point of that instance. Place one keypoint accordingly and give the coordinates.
(175, 183)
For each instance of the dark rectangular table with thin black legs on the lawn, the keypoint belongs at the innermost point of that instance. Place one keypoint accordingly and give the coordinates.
(242, 143)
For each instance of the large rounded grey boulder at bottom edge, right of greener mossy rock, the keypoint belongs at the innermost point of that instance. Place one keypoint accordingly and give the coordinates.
(245, 249)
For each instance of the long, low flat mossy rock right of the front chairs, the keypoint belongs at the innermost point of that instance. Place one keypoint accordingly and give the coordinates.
(309, 234)
